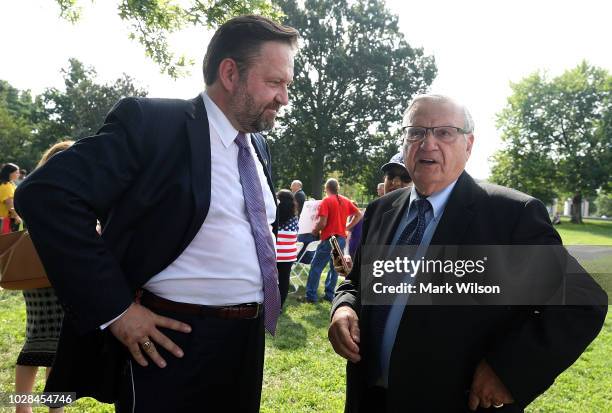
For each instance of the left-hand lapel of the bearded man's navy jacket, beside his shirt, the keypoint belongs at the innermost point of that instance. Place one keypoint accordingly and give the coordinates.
(198, 134)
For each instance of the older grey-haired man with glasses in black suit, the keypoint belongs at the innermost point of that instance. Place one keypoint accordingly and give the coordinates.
(441, 358)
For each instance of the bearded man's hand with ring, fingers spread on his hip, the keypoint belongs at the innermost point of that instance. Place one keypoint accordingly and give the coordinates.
(137, 330)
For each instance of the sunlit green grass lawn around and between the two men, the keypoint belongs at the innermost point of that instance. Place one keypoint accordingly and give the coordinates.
(303, 374)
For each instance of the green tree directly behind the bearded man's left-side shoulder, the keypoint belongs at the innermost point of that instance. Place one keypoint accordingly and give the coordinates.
(79, 110)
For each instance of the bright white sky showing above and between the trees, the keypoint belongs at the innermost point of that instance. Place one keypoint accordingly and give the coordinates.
(479, 46)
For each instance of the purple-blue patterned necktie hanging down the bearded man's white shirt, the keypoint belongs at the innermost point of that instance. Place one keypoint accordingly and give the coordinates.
(256, 213)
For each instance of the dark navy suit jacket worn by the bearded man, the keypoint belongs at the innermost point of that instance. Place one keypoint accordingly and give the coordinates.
(146, 175)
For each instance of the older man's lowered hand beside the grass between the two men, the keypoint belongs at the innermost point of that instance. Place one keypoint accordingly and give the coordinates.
(344, 333)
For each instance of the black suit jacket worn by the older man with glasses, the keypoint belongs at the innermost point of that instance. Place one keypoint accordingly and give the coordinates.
(437, 348)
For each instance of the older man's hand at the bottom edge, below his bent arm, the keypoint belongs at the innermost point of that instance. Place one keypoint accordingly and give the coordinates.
(487, 389)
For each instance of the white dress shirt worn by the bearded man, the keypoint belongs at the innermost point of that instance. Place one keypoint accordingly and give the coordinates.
(220, 266)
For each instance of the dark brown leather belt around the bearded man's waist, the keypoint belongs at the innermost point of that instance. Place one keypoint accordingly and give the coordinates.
(229, 312)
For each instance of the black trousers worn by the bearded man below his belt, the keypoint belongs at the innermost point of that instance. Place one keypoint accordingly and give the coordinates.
(221, 371)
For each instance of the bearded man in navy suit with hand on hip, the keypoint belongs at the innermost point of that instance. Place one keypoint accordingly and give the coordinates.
(166, 310)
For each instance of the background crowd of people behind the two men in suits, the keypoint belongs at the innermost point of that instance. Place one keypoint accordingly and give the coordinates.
(340, 217)
